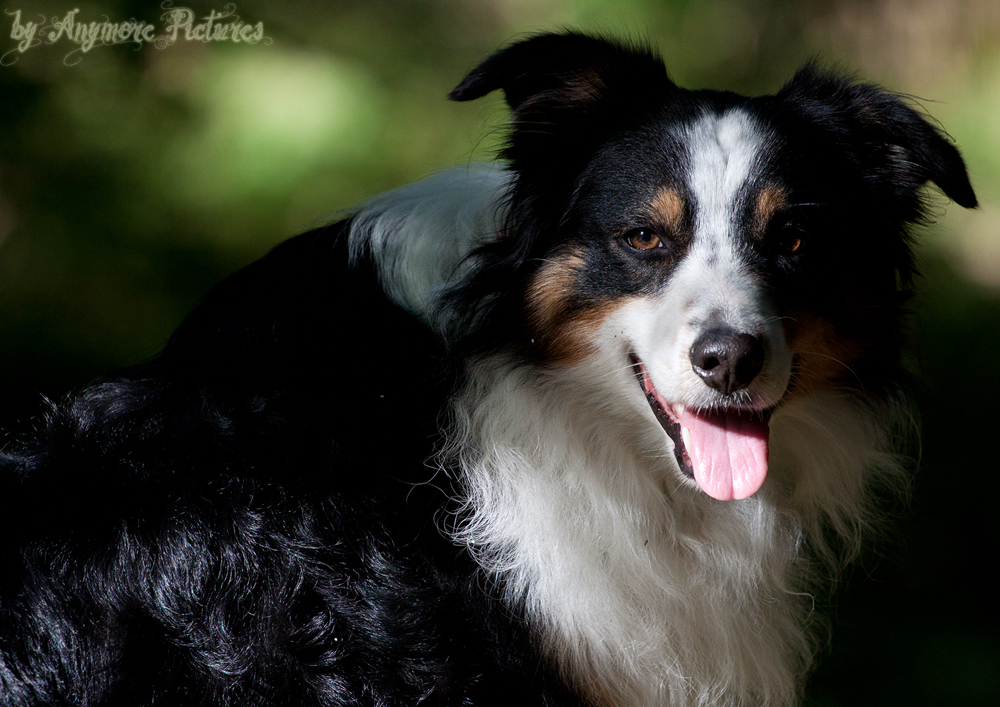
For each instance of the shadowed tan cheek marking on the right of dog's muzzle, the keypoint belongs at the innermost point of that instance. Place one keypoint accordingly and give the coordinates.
(822, 359)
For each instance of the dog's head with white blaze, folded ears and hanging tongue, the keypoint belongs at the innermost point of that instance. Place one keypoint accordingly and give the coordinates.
(729, 252)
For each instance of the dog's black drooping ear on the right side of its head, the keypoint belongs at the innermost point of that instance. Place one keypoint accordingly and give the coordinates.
(899, 149)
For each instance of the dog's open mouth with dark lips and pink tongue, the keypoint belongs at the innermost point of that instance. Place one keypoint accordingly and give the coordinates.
(724, 450)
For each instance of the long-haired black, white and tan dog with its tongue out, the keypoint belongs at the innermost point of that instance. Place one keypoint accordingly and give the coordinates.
(587, 427)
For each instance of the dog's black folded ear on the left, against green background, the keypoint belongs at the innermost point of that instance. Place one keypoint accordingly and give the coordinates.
(566, 90)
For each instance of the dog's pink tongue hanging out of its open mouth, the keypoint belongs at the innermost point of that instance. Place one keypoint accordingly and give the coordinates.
(728, 452)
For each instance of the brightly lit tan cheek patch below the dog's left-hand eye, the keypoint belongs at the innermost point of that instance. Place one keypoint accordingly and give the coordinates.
(565, 333)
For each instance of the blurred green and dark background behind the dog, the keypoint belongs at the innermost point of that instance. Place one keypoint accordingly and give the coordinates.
(133, 179)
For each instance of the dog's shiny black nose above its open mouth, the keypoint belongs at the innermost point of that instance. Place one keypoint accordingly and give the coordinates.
(726, 360)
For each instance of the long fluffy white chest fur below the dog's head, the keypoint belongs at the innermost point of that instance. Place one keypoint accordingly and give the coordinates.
(648, 591)
